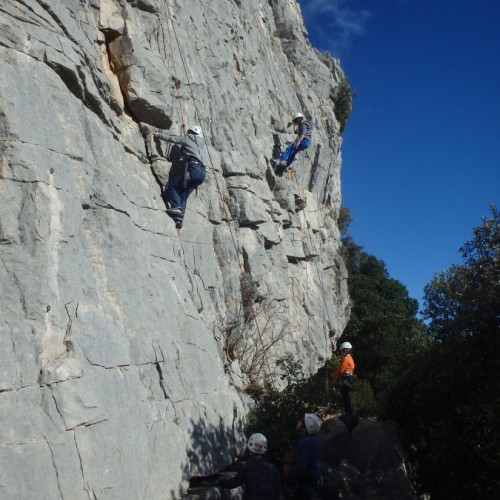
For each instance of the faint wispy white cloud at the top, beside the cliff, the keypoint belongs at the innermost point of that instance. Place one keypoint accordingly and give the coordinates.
(334, 23)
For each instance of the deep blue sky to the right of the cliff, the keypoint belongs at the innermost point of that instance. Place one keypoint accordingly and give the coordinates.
(421, 151)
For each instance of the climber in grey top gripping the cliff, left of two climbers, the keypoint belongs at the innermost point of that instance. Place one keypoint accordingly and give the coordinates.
(188, 170)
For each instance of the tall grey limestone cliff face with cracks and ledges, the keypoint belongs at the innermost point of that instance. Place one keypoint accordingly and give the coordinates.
(126, 347)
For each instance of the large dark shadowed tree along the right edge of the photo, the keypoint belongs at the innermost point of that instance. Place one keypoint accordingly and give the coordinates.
(451, 413)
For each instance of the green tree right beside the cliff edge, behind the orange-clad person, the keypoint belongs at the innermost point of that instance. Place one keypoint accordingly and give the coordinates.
(383, 327)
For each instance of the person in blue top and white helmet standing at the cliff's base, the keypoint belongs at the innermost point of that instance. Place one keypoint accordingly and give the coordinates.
(303, 469)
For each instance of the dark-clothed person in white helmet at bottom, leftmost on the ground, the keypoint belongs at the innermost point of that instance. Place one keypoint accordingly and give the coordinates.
(260, 478)
